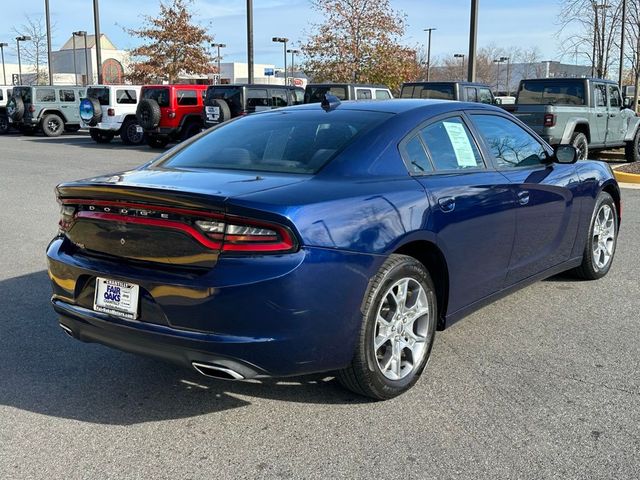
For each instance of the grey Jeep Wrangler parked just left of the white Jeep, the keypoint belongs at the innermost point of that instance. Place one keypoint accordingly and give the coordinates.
(52, 109)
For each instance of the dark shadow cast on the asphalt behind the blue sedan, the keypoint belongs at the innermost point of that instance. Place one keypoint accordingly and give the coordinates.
(44, 371)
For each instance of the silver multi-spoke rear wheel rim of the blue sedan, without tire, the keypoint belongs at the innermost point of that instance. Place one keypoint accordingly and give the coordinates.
(402, 329)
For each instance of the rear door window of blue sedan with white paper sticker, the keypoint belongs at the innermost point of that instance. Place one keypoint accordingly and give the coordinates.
(451, 146)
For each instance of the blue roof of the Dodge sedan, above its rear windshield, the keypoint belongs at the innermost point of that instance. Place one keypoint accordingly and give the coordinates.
(401, 105)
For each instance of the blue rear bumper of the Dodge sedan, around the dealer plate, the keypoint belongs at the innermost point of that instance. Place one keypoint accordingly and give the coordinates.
(261, 316)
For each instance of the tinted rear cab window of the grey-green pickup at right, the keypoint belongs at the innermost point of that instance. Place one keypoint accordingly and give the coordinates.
(556, 92)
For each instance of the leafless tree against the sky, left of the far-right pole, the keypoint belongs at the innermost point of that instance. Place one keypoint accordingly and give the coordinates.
(598, 24)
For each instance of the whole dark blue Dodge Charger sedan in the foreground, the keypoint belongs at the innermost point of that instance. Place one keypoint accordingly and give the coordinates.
(326, 237)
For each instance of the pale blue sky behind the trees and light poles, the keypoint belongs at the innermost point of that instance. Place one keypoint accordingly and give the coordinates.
(520, 23)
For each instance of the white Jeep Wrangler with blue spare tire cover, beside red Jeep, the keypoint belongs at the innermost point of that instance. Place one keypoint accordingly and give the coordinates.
(110, 110)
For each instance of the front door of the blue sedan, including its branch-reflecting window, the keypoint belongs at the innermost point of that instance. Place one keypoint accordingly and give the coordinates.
(547, 219)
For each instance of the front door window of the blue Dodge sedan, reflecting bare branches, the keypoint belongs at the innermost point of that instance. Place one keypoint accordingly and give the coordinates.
(510, 144)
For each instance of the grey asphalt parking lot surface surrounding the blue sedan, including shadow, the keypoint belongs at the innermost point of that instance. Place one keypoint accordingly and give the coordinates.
(542, 384)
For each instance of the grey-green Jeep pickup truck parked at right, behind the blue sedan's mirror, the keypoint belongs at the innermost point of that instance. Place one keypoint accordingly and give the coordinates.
(587, 113)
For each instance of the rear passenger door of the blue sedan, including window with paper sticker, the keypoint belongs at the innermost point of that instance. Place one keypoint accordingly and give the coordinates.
(472, 207)
